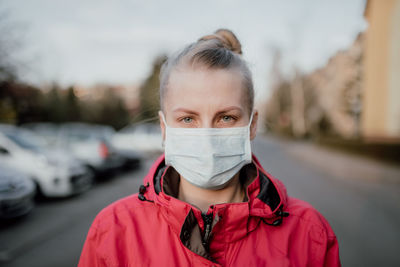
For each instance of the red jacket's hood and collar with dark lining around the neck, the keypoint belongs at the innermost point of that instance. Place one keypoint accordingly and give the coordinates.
(223, 223)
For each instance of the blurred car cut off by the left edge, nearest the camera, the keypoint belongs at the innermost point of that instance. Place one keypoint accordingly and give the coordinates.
(17, 193)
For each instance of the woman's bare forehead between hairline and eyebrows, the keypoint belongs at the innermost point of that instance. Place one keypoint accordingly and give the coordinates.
(205, 88)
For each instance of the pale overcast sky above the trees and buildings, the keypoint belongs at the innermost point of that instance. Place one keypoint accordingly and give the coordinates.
(102, 41)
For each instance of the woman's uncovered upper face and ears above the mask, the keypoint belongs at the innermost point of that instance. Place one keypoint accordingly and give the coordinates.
(205, 98)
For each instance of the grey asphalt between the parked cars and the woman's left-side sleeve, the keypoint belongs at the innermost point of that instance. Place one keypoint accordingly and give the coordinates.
(53, 235)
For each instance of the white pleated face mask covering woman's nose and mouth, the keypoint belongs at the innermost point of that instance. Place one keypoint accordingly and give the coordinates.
(207, 157)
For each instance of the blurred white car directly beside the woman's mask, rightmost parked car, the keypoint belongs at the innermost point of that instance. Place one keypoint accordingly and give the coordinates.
(144, 138)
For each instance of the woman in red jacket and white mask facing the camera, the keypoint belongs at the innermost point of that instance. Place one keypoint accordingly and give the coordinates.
(207, 201)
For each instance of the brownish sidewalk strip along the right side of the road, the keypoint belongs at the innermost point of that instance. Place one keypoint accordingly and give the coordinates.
(341, 164)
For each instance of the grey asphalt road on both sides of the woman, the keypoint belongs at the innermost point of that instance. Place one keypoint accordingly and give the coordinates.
(364, 213)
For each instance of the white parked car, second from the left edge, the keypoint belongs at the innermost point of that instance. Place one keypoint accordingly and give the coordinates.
(55, 173)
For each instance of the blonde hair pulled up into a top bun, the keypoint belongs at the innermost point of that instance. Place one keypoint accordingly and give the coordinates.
(221, 50)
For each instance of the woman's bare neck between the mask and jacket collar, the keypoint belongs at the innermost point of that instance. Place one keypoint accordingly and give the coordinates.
(203, 198)
